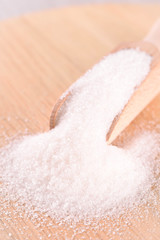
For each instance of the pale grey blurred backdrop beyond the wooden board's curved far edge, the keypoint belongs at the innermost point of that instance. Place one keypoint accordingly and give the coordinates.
(11, 8)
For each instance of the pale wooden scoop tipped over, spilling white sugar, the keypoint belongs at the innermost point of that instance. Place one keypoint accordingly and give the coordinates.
(142, 96)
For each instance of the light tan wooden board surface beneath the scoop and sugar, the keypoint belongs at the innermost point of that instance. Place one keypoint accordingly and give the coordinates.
(40, 56)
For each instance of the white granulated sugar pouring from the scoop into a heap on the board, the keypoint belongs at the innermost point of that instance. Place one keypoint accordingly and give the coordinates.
(70, 172)
